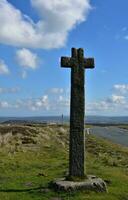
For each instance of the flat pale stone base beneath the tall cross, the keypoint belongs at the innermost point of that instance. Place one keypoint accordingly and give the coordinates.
(92, 183)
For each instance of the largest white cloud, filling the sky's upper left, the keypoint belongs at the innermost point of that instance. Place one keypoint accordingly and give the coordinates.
(56, 19)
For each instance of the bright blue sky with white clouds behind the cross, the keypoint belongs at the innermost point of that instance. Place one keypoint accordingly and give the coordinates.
(34, 34)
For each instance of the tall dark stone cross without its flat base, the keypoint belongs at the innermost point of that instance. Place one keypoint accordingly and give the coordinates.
(77, 63)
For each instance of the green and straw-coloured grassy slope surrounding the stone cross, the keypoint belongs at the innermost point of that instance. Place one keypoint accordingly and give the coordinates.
(26, 171)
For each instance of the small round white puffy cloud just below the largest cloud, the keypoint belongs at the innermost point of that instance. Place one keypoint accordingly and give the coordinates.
(27, 59)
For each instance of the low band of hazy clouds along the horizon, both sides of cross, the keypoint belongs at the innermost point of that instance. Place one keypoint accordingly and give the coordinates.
(57, 101)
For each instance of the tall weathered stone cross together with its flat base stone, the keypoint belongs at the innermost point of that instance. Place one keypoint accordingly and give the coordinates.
(78, 64)
